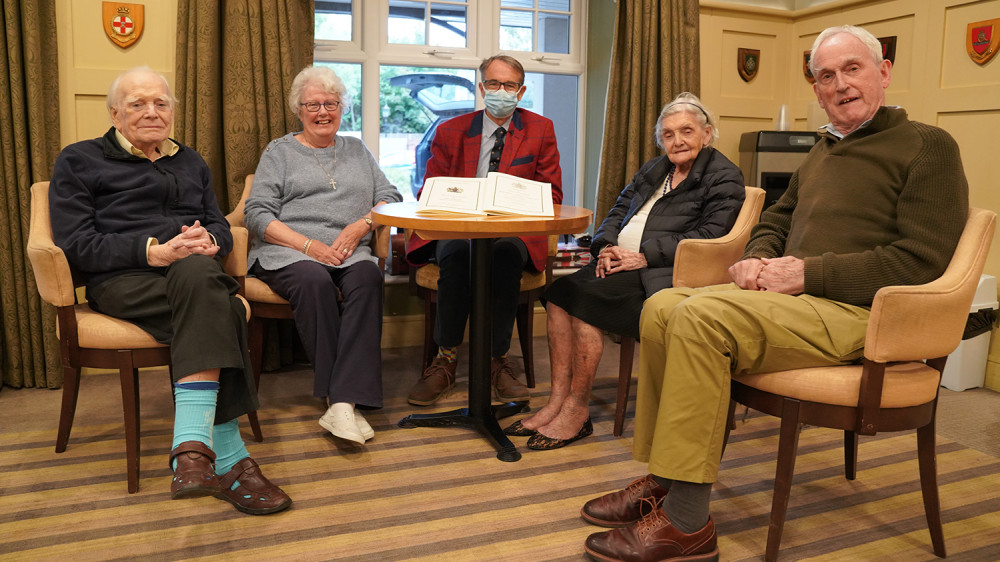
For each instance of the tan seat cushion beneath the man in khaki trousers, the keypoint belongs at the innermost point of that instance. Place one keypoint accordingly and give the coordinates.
(906, 384)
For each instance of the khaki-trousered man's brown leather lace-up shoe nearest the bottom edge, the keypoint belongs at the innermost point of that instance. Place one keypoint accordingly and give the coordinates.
(654, 538)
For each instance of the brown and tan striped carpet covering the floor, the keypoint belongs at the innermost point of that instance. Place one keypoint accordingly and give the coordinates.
(440, 494)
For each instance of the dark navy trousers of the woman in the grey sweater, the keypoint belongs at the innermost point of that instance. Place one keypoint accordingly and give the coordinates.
(344, 343)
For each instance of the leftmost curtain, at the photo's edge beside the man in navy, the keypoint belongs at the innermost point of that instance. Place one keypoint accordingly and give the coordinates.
(29, 144)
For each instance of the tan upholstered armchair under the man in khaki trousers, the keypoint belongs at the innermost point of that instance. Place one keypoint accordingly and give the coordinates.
(911, 332)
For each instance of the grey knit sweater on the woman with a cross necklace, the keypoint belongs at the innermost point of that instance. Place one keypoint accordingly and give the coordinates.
(290, 185)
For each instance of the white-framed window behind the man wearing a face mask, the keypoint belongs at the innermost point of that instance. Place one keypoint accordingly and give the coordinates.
(408, 65)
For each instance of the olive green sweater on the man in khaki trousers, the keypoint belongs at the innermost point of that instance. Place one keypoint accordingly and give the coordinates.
(883, 206)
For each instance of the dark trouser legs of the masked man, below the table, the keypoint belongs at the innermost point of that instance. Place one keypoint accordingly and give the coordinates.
(455, 294)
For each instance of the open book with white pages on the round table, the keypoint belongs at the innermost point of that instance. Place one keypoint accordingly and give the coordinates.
(496, 194)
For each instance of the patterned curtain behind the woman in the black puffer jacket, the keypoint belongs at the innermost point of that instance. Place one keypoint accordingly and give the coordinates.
(654, 58)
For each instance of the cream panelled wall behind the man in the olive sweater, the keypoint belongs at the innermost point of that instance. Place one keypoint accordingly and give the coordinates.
(933, 78)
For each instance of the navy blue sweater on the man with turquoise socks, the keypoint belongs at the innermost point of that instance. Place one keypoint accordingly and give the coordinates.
(106, 203)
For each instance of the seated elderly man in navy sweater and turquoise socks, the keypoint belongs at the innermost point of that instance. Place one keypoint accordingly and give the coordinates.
(136, 215)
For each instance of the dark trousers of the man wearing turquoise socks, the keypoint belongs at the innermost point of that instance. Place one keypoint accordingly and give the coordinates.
(191, 305)
